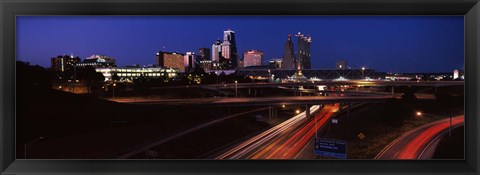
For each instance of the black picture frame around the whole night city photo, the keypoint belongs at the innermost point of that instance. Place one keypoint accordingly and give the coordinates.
(9, 9)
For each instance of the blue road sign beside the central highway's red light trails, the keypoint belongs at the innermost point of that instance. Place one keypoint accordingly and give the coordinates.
(331, 148)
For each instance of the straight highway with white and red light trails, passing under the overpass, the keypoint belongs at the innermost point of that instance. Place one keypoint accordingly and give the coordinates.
(283, 141)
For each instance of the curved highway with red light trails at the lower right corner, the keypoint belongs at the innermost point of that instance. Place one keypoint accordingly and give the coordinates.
(415, 143)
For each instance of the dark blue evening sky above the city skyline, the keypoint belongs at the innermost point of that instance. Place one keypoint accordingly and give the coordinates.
(385, 43)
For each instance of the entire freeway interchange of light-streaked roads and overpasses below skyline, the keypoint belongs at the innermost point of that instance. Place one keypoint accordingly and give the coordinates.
(292, 138)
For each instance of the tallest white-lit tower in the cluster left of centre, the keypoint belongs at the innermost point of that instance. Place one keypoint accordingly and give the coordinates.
(229, 48)
